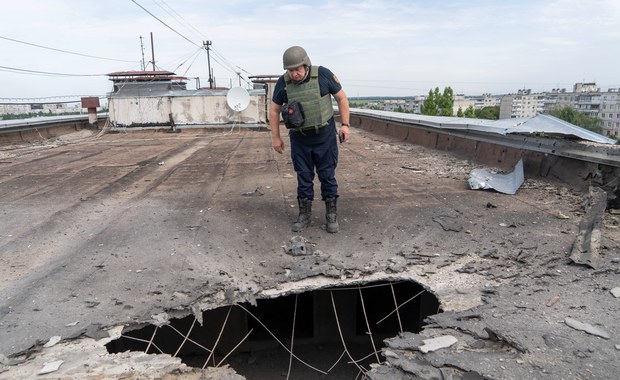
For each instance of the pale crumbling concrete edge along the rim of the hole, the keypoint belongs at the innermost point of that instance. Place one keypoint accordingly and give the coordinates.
(460, 292)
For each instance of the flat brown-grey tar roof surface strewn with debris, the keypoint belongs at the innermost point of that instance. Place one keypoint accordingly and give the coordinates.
(101, 230)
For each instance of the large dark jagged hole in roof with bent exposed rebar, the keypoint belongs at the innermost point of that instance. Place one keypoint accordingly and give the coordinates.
(334, 332)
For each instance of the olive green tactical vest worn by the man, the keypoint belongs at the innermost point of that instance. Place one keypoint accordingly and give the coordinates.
(317, 109)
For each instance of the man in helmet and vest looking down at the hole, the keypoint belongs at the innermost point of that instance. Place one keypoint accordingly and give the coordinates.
(314, 145)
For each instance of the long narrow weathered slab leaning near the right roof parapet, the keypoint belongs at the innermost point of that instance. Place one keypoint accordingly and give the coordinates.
(587, 244)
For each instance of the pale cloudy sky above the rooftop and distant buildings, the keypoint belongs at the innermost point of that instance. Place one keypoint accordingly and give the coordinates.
(64, 48)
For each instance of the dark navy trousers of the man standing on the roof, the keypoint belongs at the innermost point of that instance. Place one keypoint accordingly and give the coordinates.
(315, 150)
